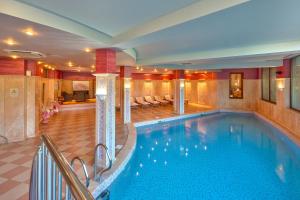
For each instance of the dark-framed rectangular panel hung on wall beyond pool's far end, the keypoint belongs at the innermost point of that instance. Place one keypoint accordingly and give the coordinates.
(236, 85)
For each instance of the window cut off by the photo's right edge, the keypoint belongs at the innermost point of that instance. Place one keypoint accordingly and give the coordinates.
(295, 84)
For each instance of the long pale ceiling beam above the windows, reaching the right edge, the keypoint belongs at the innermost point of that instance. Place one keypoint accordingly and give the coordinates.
(255, 50)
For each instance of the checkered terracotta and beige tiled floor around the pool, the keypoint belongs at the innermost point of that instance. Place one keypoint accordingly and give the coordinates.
(73, 133)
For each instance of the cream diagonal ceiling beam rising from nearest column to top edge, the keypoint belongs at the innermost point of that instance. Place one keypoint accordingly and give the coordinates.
(196, 10)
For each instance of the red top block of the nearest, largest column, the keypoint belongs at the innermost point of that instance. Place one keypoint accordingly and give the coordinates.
(105, 61)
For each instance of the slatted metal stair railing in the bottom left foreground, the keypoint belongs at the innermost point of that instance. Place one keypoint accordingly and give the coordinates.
(51, 175)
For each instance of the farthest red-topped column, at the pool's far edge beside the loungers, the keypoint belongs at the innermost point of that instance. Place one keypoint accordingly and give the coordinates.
(178, 92)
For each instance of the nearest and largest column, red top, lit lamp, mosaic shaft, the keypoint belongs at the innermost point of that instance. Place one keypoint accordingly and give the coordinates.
(105, 103)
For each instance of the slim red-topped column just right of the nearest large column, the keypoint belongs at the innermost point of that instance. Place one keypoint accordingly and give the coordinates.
(125, 85)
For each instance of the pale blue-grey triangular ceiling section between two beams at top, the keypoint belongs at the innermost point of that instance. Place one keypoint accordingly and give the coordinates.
(110, 16)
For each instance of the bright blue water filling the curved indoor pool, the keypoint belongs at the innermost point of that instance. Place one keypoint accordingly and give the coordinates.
(220, 156)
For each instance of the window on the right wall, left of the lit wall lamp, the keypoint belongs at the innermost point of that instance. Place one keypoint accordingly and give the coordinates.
(268, 84)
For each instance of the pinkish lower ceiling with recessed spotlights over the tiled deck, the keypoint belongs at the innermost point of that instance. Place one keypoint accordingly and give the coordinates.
(59, 46)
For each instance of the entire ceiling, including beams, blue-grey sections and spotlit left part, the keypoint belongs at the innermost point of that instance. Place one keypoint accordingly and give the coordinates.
(209, 34)
